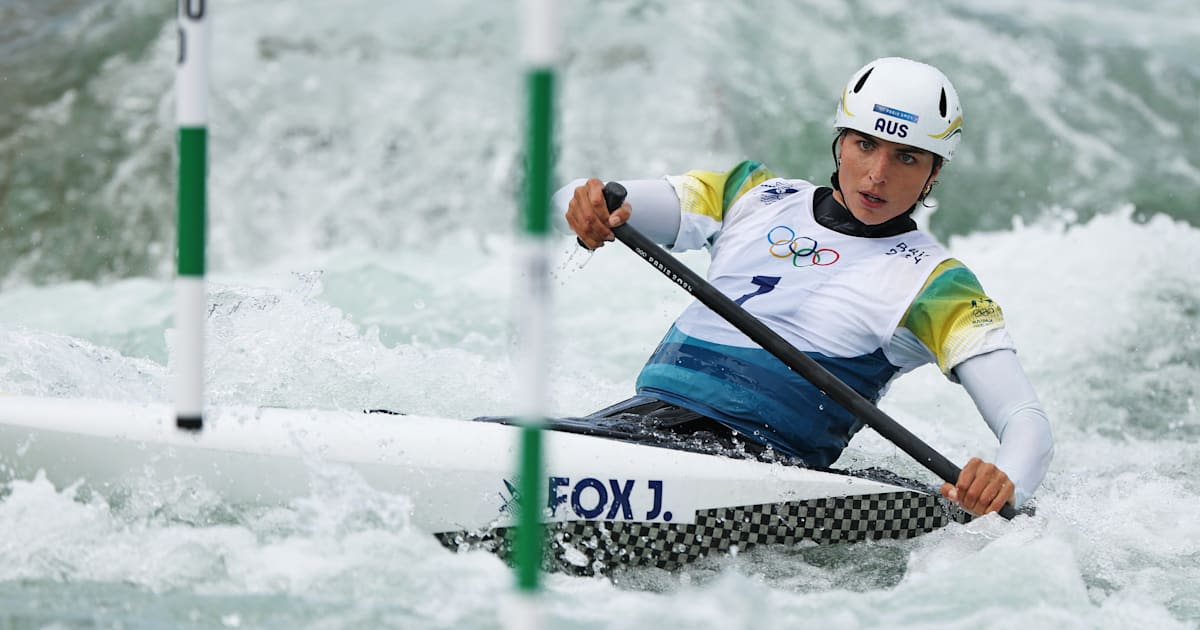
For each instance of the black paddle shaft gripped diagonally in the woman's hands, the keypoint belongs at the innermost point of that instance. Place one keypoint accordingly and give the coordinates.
(771, 341)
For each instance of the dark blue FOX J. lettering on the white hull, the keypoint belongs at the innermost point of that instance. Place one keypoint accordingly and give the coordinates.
(613, 500)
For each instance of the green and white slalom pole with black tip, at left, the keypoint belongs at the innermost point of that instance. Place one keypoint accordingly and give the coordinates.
(191, 113)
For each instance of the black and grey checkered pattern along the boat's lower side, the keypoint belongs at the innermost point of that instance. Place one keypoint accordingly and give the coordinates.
(590, 548)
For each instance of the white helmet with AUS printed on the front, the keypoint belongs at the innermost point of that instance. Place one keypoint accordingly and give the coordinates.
(903, 101)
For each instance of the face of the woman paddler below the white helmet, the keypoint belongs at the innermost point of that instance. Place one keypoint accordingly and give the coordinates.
(880, 179)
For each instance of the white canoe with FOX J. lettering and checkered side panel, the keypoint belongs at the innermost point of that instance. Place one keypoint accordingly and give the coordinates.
(610, 502)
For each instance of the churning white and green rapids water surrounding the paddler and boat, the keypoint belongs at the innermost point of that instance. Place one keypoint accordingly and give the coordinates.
(364, 179)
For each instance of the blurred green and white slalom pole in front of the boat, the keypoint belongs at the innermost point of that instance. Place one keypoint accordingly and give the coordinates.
(538, 52)
